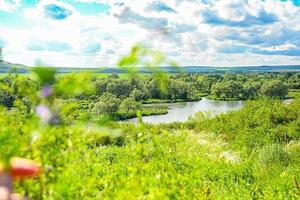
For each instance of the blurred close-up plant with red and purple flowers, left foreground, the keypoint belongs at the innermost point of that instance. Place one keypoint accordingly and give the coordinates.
(50, 136)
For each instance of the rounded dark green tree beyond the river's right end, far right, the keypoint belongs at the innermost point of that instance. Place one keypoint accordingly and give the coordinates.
(274, 88)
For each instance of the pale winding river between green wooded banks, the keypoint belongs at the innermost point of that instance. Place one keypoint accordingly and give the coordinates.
(180, 112)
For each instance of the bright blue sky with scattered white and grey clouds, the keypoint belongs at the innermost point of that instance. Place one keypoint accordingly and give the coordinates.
(97, 33)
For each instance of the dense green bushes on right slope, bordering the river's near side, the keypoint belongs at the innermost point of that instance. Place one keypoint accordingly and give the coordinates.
(259, 122)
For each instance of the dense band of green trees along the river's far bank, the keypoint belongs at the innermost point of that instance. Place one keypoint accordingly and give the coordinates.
(123, 94)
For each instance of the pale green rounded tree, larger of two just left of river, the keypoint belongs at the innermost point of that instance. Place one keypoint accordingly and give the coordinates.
(107, 104)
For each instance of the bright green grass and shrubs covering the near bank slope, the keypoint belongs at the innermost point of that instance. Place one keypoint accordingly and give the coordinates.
(248, 154)
